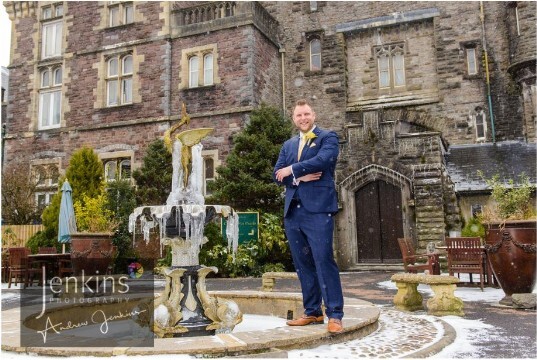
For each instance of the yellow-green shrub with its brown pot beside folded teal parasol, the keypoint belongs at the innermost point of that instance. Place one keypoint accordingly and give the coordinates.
(91, 247)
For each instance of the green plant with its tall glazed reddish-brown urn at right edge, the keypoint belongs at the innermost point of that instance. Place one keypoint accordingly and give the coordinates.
(510, 231)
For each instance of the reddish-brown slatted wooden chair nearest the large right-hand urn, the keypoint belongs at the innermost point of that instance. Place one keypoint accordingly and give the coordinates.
(466, 255)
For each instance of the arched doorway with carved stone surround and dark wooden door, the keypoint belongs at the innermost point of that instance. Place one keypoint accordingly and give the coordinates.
(377, 208)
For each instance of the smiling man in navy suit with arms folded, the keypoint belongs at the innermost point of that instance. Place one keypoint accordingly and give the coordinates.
(306, 166)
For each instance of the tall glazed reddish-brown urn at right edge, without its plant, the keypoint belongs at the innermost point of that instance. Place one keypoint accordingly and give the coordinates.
(511, 251)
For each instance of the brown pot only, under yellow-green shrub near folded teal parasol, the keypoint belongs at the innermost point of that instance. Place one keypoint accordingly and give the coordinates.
(91, 252)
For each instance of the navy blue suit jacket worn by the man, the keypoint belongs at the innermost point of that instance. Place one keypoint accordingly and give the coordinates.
(318, 155)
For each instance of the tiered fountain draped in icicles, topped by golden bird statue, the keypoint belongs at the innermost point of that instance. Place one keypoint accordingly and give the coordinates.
(185, 308)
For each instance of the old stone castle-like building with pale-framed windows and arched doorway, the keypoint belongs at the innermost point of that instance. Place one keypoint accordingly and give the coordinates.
(422, 95)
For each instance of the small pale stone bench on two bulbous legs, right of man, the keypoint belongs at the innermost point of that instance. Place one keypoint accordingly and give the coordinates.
(444, 301)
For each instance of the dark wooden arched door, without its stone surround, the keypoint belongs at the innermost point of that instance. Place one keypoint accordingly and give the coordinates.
(379, 222)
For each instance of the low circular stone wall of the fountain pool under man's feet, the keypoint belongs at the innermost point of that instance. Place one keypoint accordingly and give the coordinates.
(361, 319)
